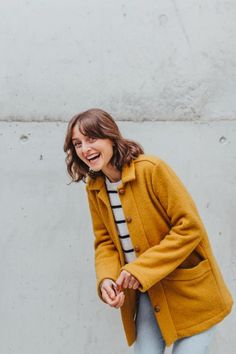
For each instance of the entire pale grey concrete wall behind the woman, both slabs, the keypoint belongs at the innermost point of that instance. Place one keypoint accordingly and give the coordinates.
(169, 68)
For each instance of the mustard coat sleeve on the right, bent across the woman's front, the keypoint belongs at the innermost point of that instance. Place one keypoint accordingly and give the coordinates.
(185, 233)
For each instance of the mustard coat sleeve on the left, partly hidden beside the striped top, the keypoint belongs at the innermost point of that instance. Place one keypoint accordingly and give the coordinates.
(107, 262)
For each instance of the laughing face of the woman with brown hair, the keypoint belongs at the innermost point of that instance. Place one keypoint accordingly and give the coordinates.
(95, 152)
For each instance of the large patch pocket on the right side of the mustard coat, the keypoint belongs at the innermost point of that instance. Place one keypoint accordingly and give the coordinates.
(192, 295)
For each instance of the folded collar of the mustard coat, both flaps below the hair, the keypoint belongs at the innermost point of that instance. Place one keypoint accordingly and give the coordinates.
(127, 175)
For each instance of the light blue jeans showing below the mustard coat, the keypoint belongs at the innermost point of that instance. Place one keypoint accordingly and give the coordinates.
(150, 341)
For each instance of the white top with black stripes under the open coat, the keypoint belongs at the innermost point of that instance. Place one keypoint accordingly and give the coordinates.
(119, 218)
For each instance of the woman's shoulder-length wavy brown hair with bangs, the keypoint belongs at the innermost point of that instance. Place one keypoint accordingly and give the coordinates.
(97, 123)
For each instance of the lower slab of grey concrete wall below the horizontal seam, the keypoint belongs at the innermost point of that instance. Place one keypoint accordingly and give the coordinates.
(48, 298)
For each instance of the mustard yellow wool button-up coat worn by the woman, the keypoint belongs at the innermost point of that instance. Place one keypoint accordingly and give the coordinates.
(174, 264)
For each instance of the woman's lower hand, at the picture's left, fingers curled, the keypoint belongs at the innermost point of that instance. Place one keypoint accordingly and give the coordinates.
(110, 293)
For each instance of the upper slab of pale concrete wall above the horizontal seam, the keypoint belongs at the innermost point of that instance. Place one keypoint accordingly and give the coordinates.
(140, 60)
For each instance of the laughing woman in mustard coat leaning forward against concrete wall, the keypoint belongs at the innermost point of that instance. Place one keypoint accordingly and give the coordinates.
(152, 254)
